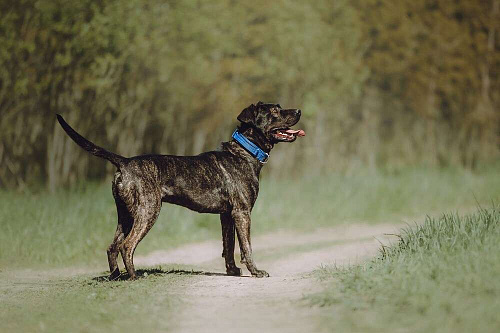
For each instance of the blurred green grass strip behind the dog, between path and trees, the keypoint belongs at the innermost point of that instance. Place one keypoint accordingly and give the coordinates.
(74, 227)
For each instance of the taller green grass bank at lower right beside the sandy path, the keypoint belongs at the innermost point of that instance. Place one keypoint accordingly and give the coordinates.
(442, 276)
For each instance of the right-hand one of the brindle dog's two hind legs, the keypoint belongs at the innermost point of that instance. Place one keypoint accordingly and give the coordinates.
(145, 214)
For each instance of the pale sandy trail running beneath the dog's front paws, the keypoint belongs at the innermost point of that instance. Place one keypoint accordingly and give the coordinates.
(217, 303)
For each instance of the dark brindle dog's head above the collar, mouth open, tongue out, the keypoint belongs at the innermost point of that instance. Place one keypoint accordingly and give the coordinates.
(272, 122)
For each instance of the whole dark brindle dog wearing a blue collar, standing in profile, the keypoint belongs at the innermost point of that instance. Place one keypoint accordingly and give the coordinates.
(225, 182)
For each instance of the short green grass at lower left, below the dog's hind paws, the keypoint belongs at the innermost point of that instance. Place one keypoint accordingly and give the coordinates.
(38, 303)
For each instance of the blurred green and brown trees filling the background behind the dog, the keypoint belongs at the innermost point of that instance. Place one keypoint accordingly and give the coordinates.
(382, 83)
